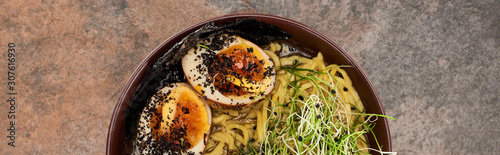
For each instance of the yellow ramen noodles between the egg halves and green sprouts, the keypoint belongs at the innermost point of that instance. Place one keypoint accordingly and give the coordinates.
(245, 130)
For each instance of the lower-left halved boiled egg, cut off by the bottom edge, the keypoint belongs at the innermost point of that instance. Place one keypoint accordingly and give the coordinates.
(177, 120)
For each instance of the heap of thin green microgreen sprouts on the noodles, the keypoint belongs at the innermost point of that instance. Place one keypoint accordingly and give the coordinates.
(315, 124)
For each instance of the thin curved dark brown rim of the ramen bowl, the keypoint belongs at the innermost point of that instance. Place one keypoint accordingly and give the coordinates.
(135, 79)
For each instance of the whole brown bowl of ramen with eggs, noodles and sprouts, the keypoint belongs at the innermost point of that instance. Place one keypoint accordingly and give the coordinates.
(248, 84)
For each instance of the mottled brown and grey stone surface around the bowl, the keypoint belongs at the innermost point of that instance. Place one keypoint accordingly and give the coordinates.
(435, 64)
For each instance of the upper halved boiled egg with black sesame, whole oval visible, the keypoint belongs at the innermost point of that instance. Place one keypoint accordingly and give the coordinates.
(235, 74)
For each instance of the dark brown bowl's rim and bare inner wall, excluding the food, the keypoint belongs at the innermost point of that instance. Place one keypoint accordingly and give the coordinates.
(304, 37)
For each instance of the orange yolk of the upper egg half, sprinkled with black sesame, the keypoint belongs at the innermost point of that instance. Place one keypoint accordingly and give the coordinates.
(237, 61)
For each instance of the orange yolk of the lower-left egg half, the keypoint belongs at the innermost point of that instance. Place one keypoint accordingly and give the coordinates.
(181, 120)
